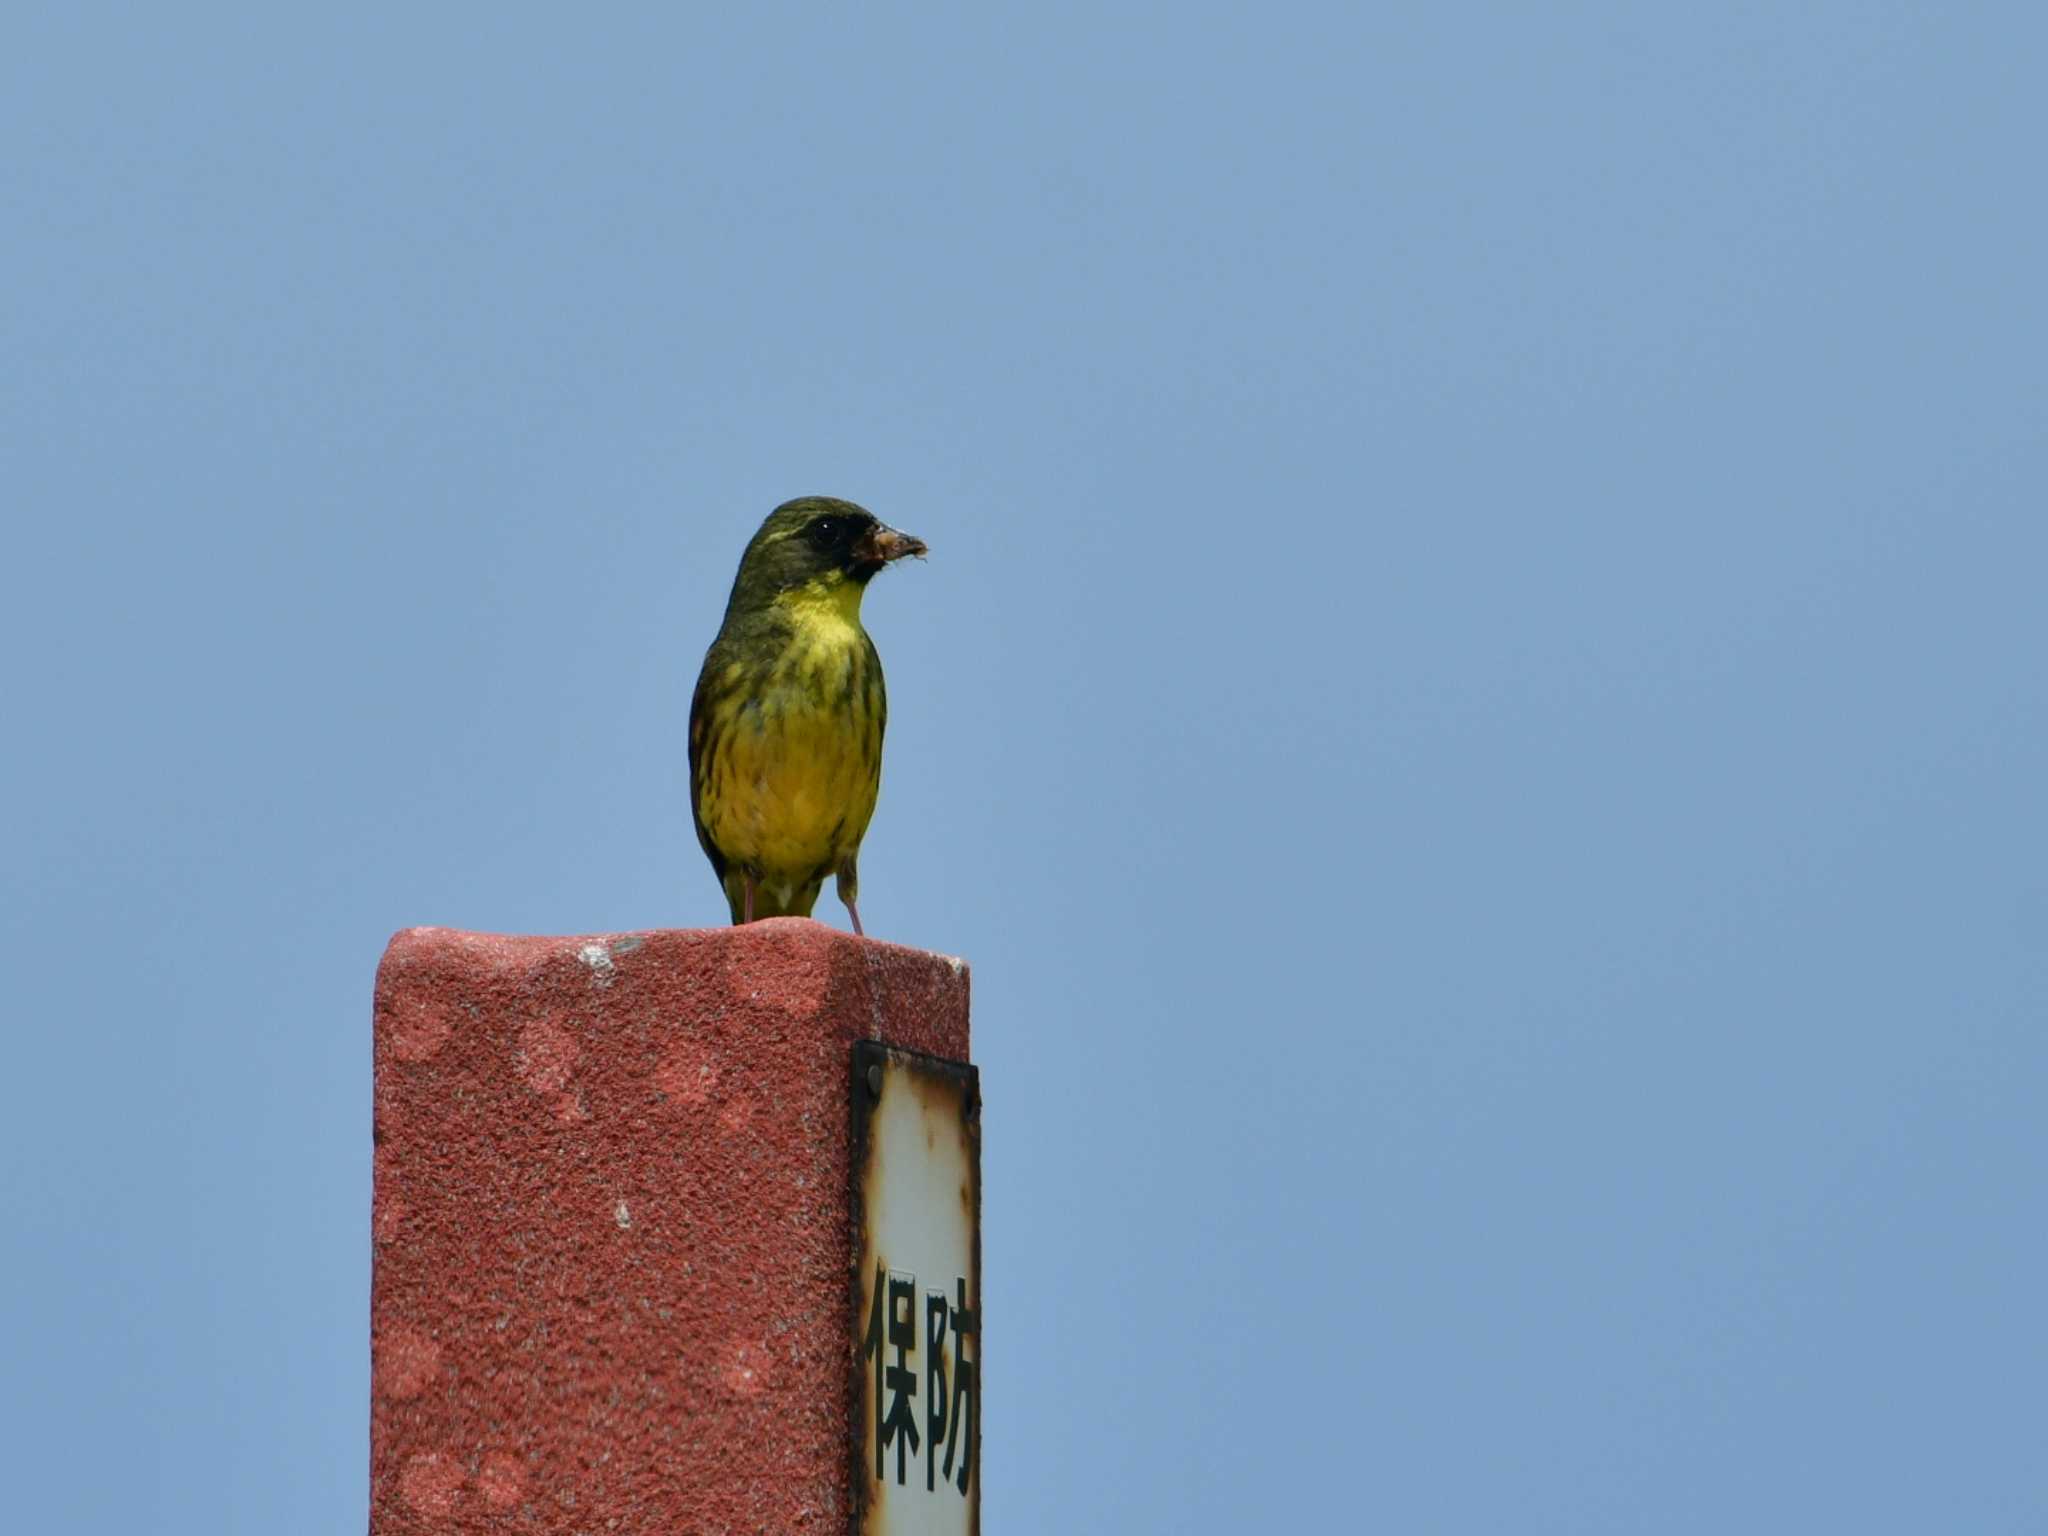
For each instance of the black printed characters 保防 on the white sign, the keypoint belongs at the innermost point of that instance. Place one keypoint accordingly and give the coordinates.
(949, 1420)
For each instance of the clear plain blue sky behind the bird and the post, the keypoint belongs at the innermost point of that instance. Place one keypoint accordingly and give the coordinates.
(1478, 706)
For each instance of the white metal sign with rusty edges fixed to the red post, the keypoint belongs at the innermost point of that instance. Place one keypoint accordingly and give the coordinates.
(916, 1349)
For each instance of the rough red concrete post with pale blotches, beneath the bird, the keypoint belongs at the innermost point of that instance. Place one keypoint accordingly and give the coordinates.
(611, 1224)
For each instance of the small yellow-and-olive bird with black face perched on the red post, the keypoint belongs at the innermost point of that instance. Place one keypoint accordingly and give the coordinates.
(790, 712)
